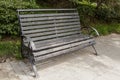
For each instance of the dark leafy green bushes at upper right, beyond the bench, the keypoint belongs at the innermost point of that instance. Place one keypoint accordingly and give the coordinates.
(103, 10)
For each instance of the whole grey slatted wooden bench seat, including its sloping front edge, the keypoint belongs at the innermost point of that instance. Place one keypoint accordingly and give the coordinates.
(62, 44)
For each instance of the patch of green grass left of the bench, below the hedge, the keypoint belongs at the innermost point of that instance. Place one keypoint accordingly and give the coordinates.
(10, 49)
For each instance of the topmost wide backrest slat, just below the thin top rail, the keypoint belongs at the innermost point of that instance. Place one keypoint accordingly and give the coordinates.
(46, 15)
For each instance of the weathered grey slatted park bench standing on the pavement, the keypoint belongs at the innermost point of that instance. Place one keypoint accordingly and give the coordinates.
(47, 33)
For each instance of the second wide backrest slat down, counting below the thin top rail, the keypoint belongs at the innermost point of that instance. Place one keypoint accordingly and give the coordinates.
(49, 18)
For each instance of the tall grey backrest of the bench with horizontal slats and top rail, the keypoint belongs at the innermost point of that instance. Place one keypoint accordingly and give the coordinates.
(49, 24)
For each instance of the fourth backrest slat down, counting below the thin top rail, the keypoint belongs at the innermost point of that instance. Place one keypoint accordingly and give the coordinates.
(52, 25)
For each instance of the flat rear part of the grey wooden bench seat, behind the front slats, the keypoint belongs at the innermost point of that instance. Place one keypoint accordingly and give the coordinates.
(61, 41)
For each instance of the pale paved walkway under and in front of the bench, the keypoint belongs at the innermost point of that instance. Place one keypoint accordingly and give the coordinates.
(80, 65)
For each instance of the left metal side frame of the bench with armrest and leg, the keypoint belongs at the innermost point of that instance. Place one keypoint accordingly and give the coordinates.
(29, 49)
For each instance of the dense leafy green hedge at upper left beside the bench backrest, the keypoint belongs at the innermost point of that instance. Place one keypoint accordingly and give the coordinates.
(8, 15)
